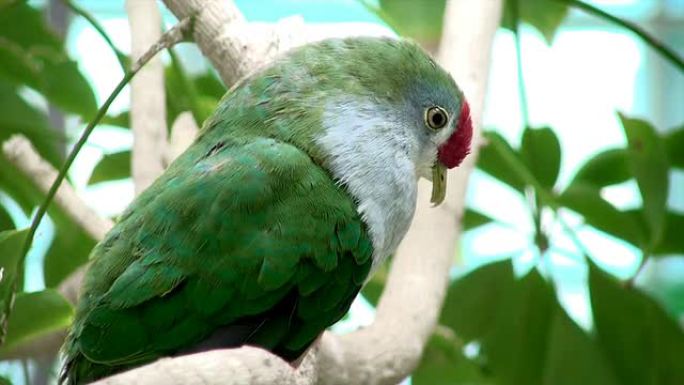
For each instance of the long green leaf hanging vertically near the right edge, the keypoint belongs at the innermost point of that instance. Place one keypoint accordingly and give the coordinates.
(647, 159)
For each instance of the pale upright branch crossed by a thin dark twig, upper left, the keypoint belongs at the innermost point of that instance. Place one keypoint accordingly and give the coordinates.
(148, 97)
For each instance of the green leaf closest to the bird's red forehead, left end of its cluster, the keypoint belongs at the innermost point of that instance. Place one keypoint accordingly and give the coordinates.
(495, 159)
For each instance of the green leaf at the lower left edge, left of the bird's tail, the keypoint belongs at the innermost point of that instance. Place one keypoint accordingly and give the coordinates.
(35, 314)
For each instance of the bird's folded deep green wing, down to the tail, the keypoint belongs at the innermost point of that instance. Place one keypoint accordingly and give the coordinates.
(248, 242)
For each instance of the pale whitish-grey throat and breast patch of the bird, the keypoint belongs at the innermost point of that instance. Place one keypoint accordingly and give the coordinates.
(376, 168)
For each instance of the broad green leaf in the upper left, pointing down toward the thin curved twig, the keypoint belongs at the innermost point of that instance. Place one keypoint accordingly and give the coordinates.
(66, 87)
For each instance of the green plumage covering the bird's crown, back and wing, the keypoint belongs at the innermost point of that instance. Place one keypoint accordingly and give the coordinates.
(246, 233)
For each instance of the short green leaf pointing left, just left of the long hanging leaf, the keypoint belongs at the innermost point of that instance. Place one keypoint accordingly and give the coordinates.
(604, 169)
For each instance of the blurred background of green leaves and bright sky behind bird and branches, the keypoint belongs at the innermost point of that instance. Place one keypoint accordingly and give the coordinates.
(579, 191)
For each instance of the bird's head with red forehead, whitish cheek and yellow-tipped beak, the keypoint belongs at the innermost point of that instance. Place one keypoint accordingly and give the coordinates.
(370, 105)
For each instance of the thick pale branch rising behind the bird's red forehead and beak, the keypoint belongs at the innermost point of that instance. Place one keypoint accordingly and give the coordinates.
(391, 347)
